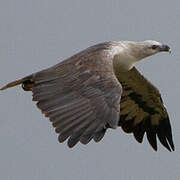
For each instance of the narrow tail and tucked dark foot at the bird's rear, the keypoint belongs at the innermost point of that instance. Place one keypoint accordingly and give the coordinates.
(27, 83)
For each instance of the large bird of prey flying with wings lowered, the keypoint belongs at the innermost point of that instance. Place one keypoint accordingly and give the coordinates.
(99, 88)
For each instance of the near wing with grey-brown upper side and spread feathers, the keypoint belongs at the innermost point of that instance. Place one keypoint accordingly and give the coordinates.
(80, 98)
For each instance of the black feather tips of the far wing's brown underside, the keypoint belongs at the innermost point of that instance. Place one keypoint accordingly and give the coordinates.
(162, 131)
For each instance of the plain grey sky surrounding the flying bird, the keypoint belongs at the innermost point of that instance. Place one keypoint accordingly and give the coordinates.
(36, 34)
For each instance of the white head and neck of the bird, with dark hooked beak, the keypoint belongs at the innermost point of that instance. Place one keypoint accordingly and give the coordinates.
(130, 52)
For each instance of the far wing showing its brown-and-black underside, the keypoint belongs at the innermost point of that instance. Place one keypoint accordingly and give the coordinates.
(142, 110)
